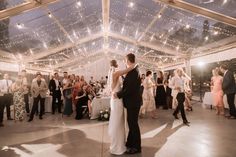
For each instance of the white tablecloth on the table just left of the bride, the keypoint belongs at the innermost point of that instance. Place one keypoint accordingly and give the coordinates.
(99, 104)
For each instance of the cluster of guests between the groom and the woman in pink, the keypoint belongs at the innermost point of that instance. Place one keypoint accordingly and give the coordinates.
(166, 92)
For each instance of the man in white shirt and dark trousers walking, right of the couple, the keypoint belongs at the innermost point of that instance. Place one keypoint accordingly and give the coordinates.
(178, 82)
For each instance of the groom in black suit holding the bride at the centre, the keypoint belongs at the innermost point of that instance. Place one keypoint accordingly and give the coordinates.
(132, 99)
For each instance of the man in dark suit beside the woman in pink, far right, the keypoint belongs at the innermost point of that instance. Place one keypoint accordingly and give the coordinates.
(229, 89)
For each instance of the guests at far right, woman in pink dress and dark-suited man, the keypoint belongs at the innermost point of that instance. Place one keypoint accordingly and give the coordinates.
(223, 82)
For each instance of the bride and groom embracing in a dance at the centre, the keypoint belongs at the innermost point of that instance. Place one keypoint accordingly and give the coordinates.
(127, 95)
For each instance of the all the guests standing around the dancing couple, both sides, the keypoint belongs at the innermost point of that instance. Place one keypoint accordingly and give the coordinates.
(73, 93)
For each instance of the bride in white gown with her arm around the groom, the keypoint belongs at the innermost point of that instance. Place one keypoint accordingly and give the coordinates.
(116, 128)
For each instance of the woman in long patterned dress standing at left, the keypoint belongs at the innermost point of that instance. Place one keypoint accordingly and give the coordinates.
(18, 98)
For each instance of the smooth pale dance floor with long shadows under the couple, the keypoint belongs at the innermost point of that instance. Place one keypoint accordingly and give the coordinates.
(55, 136)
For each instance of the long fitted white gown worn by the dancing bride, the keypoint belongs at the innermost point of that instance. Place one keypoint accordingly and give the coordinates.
(116, 128)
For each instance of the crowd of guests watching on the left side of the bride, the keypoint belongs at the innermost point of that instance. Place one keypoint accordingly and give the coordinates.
(71, 93)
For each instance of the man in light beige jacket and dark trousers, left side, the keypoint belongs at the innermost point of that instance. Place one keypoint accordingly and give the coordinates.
(39, 90)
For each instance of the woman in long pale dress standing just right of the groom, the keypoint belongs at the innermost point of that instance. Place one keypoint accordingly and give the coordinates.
(148, 96)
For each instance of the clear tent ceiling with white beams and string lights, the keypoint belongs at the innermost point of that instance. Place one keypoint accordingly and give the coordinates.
(66, 34)
